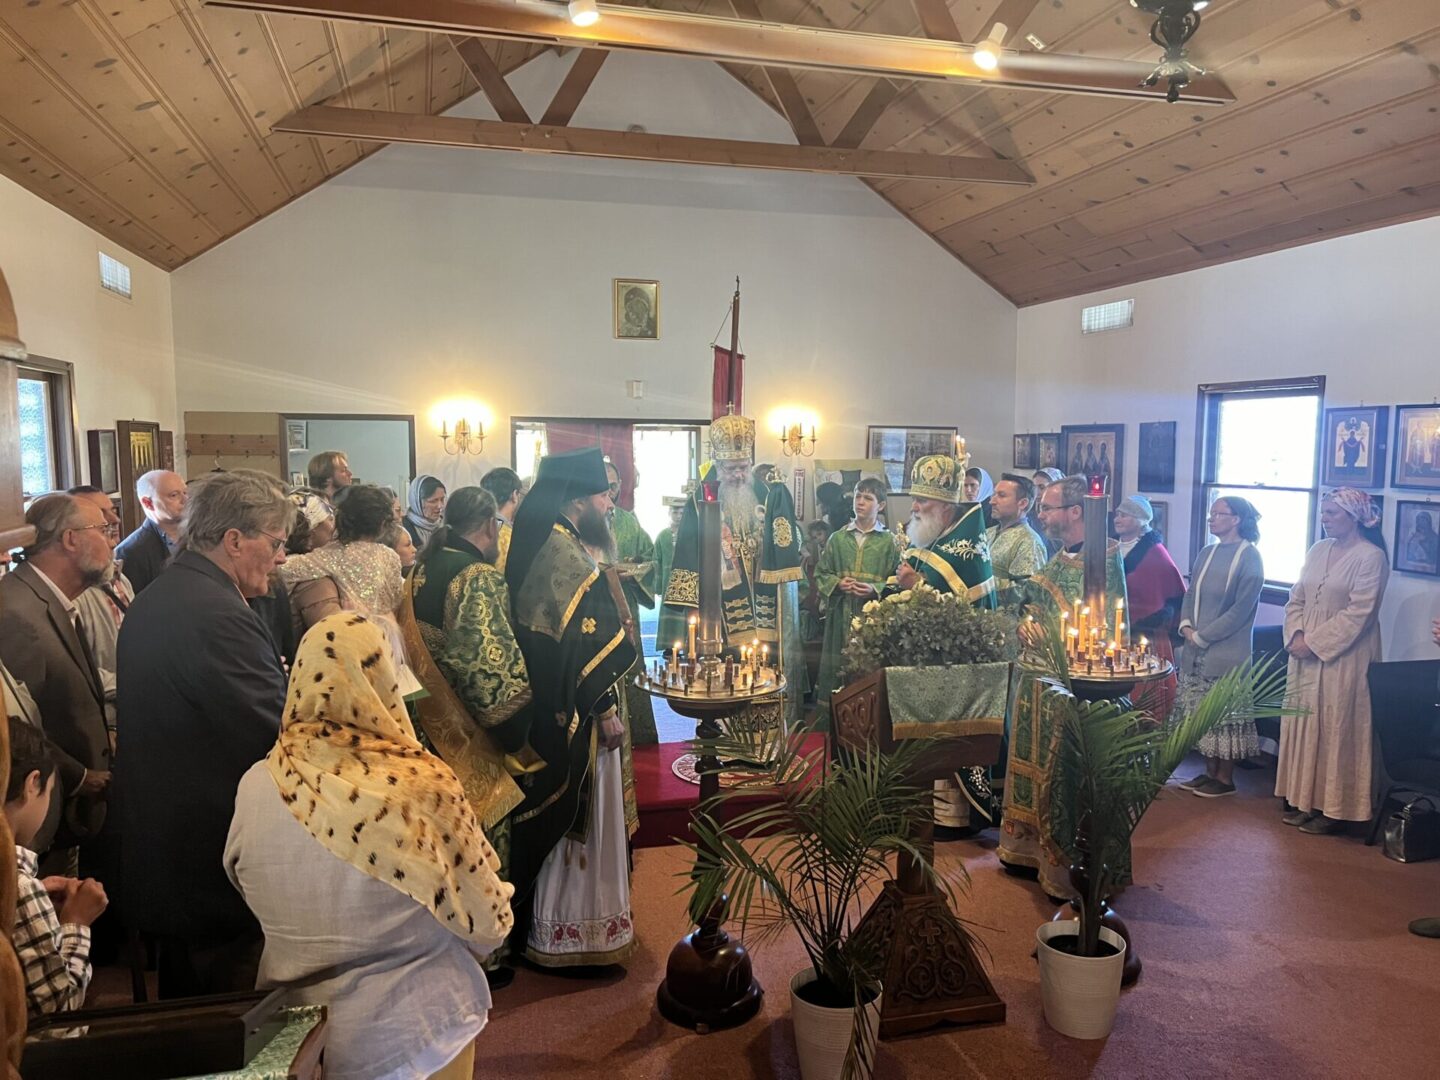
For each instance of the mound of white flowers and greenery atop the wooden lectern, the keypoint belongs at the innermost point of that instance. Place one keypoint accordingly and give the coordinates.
(924, 627)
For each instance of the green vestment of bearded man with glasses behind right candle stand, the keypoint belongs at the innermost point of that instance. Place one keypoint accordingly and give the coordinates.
(1025, 837)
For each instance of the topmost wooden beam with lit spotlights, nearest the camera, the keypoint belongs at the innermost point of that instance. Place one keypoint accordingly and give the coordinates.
(738, 41)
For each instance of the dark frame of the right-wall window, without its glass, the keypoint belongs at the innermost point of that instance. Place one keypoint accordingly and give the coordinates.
(1207, 423)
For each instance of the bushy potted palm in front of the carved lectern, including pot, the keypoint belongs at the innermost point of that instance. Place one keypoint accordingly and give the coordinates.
(807, 862)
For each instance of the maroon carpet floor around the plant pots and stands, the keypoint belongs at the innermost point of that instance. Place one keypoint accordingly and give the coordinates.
(1268, 954)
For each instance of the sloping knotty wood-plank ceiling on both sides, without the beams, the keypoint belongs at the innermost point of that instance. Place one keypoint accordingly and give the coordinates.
(152, 122)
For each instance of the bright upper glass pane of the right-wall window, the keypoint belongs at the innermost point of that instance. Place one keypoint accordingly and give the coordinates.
(1268, 441)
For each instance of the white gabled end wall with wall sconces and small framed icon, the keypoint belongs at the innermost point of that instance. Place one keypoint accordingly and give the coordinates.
(430, 273)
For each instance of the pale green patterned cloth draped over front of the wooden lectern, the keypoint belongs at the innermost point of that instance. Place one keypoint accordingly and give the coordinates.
(964, 699)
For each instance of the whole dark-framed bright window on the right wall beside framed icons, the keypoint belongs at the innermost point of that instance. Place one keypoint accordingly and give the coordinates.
(1261, 441)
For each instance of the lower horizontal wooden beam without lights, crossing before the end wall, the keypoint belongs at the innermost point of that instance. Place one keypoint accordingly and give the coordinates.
(640, 146)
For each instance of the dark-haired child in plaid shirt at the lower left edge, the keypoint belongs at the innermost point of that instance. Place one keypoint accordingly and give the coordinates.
(54, 950)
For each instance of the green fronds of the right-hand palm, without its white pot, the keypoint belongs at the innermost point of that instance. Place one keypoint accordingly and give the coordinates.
(1112, 762)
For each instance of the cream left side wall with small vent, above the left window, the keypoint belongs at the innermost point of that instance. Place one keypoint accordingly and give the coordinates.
(123, 349)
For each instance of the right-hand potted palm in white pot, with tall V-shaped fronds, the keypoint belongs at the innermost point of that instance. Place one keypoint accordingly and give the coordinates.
(1110, 765)
